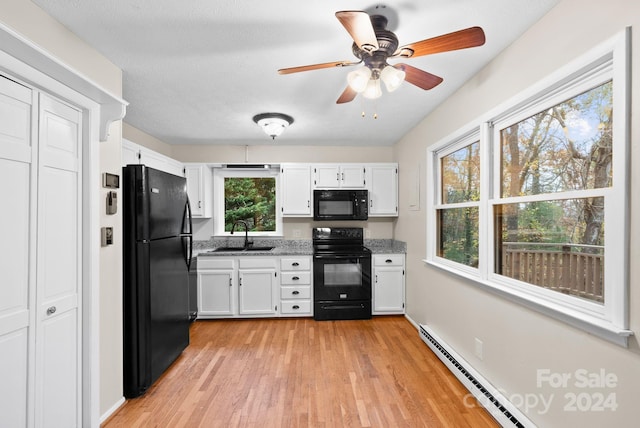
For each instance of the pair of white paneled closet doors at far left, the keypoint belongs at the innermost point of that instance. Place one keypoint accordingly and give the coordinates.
(40, 260)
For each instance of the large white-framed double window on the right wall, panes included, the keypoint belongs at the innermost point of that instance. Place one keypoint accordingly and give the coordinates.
(531, 202)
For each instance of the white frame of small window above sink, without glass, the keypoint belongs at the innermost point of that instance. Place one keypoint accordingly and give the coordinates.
(219, 174)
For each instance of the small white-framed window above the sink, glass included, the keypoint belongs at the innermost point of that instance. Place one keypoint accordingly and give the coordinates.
(249, 196)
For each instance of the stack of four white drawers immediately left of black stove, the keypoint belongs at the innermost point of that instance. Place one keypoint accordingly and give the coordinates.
(295, 286)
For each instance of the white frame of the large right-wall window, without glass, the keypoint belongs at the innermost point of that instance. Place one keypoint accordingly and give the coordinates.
(609, 320)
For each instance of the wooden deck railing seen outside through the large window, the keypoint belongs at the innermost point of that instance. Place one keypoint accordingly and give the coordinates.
(572, 269)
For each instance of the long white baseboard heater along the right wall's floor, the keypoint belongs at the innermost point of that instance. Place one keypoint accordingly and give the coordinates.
(496, 404)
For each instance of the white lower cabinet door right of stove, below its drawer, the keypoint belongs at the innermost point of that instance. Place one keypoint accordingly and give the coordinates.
(388, 293)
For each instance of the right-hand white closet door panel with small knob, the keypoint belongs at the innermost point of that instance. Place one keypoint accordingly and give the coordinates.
(58, 332)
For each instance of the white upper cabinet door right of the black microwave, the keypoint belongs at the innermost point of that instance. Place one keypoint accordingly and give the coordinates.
(383, 190)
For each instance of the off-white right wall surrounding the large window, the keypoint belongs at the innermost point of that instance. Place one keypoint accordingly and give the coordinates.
(518, 341)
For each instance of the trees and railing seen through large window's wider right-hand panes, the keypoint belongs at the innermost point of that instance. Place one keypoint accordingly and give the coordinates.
(557, 242)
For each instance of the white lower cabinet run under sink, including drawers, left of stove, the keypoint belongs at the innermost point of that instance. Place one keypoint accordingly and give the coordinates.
(230, 287)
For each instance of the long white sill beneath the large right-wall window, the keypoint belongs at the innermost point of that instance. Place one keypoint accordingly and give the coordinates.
(592, 325)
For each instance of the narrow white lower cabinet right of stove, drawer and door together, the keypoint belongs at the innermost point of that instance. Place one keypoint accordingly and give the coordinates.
(388, 284)
